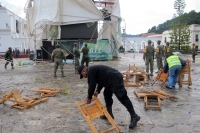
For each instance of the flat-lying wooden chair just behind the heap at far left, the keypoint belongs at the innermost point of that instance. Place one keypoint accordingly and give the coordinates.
(47, 92)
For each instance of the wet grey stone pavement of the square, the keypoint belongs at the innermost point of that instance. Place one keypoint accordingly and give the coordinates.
(60, 113)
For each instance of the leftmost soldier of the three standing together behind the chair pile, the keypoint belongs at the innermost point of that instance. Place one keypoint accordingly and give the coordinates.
(148, 57)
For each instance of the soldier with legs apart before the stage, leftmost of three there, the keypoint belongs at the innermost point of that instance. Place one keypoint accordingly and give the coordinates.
(57, 57)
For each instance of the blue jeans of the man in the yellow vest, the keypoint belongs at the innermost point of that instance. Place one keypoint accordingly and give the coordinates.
(173, 75)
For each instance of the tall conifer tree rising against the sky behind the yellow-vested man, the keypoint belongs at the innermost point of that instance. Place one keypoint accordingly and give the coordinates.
(180, 32)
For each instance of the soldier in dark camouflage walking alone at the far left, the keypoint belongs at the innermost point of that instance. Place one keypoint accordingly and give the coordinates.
(9, 58)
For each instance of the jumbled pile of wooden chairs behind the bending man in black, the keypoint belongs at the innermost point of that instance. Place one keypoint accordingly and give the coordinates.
(139, 76)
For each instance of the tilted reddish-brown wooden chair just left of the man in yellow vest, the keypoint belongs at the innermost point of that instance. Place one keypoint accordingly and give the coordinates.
(161, 76)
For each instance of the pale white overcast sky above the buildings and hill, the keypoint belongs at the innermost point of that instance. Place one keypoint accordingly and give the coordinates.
(139, 15)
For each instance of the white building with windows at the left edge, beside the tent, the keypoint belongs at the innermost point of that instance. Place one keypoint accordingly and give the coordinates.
(11, 31)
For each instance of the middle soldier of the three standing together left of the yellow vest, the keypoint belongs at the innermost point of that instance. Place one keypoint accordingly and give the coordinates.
(159, 55)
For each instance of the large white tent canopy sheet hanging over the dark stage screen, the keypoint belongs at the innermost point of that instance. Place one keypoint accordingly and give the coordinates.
(60, 12)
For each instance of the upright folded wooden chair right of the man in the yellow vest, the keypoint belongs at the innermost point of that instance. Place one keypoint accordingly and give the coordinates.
(185, 74)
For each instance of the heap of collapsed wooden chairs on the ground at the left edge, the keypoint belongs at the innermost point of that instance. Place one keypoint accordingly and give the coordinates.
(21, 103)
